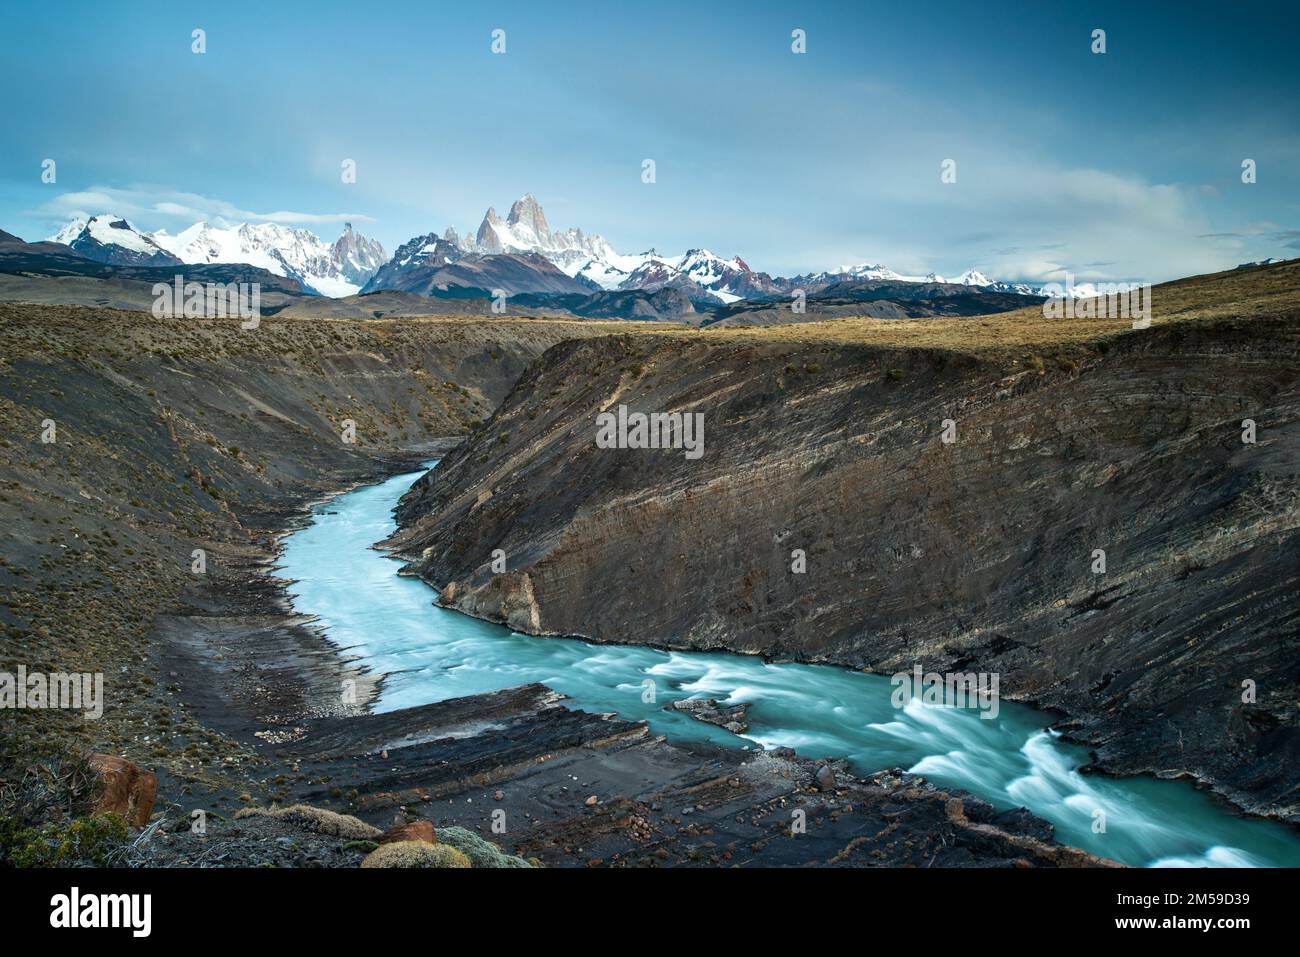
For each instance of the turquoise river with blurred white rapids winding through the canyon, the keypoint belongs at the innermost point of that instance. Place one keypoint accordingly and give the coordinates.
(431, 655)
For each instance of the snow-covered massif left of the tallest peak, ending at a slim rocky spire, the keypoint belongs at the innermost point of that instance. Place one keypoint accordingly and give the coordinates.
(336, 270)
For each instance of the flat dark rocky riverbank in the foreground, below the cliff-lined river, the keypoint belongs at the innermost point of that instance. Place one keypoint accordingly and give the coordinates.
(574, 789)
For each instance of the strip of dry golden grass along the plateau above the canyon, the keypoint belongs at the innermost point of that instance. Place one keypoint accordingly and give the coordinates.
(1273, 291)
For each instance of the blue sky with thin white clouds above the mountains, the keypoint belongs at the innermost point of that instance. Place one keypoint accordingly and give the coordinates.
(1124, 166)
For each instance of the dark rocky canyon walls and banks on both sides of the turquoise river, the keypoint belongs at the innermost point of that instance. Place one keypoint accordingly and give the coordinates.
(826, 439)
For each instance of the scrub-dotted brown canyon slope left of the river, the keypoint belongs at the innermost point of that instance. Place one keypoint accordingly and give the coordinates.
(128, 443)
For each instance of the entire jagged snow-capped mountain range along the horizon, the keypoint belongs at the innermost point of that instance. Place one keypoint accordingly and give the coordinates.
(519, 254)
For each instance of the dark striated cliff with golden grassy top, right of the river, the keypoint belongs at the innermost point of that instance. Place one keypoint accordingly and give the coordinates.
(982, 553)
